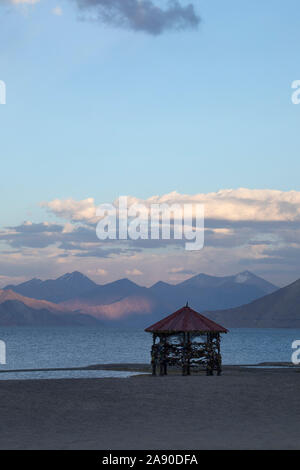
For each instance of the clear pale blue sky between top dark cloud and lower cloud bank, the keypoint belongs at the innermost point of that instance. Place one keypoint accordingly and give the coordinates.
(95, 111)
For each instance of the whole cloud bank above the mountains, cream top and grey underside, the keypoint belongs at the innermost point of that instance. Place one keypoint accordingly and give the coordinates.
(257, 230)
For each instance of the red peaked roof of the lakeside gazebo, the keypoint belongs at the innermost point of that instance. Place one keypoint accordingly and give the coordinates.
(186, 319)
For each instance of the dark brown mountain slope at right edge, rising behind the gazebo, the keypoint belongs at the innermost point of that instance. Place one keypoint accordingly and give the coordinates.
(280, 309)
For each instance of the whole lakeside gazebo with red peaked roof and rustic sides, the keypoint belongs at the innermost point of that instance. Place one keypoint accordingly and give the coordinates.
(187, 339)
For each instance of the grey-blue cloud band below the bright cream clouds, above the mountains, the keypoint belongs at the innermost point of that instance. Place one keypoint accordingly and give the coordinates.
(259, 243)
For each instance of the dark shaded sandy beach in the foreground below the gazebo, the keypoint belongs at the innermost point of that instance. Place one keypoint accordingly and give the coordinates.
(242, 409)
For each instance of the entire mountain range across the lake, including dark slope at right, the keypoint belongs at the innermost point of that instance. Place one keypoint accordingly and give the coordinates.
(241, 300)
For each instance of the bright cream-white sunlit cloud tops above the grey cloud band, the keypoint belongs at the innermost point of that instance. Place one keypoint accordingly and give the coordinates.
(255, 205)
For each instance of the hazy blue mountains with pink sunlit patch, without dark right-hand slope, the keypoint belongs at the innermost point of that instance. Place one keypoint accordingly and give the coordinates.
(76, 299)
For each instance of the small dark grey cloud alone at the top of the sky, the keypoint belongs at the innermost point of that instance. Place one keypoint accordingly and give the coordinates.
(141, 15)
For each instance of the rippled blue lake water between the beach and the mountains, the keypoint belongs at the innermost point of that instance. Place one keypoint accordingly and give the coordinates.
(36, 348)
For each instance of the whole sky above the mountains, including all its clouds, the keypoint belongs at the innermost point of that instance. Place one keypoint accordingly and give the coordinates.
(180, 101)
